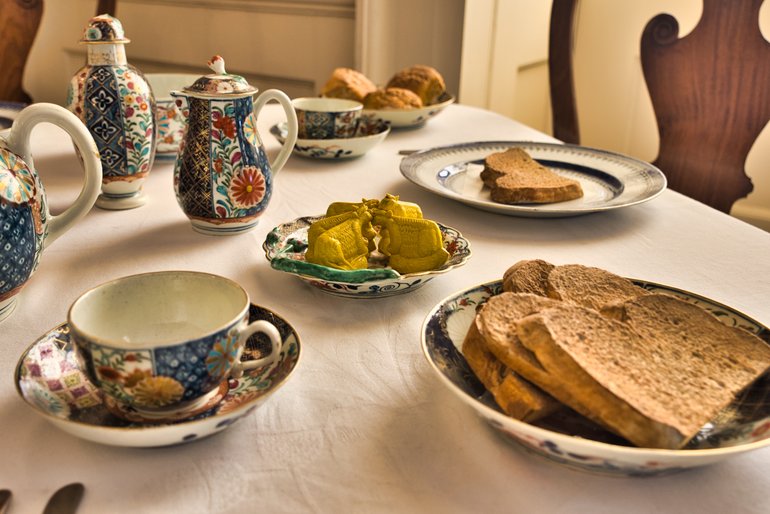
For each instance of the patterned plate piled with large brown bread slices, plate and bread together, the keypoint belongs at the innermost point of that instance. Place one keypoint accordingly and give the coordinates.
(603, 373)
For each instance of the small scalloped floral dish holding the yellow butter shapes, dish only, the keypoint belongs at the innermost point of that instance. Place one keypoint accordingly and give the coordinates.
(285, 248)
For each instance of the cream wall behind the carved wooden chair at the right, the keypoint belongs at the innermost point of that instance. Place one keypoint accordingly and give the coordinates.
(614, 108)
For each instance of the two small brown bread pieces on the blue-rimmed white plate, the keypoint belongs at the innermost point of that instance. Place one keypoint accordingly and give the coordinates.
(515, 177)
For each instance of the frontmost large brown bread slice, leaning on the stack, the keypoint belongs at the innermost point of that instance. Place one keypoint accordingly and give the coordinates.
(656, 391)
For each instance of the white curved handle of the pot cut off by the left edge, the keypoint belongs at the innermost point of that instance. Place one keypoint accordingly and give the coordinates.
(18, 142)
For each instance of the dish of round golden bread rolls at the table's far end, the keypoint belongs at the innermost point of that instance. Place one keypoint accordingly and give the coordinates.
(411, 96)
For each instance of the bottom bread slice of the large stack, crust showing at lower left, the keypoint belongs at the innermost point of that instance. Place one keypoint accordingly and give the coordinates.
(515, 396)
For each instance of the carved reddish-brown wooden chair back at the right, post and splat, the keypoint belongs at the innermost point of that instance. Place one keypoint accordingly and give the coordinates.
(710, 92)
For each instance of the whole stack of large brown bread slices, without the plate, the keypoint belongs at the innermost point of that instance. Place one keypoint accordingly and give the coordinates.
(650, 368)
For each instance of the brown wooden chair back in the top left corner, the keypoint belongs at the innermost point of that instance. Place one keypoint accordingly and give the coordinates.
(19, 21)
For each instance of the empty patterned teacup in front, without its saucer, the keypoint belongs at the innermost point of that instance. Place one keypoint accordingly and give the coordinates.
(164, 344)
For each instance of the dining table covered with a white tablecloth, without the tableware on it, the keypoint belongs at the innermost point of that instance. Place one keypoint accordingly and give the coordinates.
(363, 424)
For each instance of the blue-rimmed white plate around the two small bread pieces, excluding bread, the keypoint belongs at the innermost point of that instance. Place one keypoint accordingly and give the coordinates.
(609, 180)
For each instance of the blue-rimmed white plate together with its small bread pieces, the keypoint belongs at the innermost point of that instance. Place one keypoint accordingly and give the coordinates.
(531, 179)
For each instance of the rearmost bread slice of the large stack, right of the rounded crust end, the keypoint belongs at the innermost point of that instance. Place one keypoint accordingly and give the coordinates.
(590, 287)
